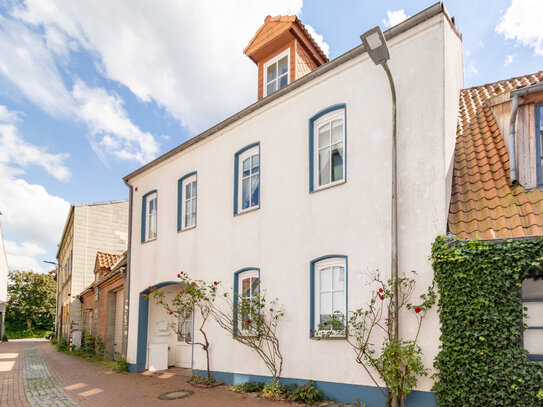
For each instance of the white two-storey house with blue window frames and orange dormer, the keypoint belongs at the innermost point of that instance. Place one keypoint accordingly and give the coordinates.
(297, 187)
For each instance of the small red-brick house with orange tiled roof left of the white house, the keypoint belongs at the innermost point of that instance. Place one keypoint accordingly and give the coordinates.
(102, 303)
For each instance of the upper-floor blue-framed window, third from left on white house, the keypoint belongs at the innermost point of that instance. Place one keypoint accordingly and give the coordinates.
(247, 179)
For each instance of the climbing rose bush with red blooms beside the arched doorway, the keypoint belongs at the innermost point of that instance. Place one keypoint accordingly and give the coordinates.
(196, 295)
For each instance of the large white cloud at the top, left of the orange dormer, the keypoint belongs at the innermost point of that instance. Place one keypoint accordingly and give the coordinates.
(168, 51)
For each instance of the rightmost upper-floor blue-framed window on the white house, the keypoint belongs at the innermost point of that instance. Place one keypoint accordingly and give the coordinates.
(327, 148)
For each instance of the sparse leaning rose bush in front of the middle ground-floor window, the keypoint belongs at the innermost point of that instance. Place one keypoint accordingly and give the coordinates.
(253, 322)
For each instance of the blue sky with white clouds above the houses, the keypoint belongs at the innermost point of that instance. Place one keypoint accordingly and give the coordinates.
(91, 91)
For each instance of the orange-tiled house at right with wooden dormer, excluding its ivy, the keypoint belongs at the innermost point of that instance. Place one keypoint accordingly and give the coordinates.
(490, 197)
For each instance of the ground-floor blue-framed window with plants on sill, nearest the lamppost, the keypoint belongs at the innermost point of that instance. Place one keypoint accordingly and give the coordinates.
(328, 280)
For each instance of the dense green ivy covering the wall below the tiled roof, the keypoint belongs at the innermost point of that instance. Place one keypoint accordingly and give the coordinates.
(482, 360)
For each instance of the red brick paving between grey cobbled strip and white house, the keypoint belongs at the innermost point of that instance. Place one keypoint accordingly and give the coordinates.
(94, 385)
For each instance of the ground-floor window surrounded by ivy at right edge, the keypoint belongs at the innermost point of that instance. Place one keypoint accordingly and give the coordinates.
(532, 300)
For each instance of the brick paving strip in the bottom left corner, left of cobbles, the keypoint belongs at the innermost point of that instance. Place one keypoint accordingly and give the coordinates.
(11, 375)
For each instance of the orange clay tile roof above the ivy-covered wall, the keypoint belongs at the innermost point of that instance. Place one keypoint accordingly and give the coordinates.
(483, 203)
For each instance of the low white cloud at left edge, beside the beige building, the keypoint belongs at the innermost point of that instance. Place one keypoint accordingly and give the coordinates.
(28, 210)
